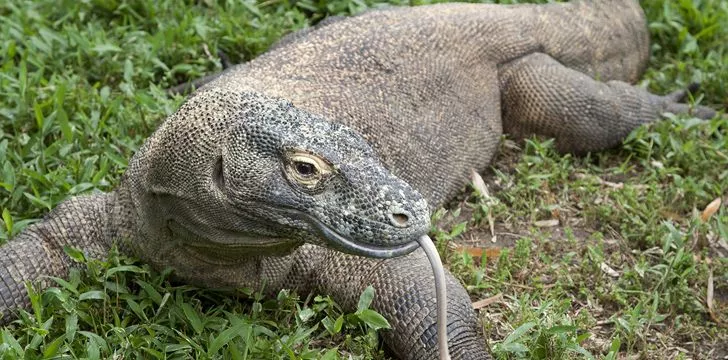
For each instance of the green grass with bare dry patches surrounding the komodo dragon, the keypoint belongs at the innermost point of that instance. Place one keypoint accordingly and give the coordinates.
(610, 255)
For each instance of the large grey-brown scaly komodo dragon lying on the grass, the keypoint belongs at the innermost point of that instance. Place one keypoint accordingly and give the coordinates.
(348, 135)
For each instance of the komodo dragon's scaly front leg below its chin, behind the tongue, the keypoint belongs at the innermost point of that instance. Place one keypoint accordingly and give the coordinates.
(405, 295)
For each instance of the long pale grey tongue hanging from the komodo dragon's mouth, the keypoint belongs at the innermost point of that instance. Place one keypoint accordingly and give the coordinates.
(440, 294)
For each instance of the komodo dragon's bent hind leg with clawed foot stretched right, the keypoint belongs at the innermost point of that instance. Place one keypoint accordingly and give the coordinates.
(541, 96)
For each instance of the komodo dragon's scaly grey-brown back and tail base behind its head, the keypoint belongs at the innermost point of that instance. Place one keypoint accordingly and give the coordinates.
(421, 84)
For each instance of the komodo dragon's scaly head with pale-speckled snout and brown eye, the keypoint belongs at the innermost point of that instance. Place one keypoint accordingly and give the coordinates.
(248, 174)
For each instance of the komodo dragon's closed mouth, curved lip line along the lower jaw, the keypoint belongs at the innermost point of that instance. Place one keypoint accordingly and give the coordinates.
(344, 244)
